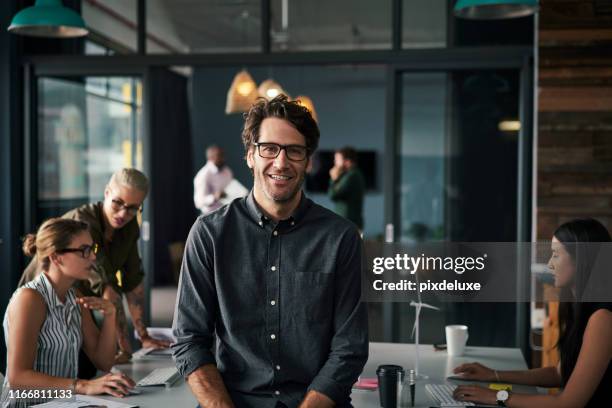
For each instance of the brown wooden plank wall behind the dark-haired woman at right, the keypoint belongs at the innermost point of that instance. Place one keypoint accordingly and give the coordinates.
(574, 174)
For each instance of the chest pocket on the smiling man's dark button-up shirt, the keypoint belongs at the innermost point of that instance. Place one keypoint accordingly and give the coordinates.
(310, 294)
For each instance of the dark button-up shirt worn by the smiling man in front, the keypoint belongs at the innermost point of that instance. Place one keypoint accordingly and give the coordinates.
(282, 299)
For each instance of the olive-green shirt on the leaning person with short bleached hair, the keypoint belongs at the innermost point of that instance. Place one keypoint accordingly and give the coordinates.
(120, 255)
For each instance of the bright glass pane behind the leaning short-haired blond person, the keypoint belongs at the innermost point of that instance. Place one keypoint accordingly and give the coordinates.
(87, 128)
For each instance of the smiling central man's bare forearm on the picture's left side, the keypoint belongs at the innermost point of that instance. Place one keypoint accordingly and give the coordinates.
(208, 387)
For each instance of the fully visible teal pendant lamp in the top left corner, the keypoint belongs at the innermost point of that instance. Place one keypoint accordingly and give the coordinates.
(48, 18)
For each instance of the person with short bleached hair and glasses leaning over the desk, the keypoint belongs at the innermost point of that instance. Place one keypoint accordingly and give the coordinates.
(118, 269)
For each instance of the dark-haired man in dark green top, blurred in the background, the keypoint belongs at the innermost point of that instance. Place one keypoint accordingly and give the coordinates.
(347, 186)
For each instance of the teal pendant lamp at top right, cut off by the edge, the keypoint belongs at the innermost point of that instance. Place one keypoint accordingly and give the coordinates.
(495, 9)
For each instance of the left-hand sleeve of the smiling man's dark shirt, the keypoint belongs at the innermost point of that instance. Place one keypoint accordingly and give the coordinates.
(196, 304)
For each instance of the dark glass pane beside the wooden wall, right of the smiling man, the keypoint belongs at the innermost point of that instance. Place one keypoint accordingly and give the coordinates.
(458, 181)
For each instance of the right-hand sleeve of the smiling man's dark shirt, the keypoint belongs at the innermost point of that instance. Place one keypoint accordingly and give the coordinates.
(349, 346)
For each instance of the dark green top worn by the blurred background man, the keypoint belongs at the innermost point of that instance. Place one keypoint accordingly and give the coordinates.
(347, 194)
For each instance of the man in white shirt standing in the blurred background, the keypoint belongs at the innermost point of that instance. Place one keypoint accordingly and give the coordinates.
(210, 182)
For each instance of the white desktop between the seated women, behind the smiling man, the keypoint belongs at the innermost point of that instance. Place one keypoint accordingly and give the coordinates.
(435, 364)
